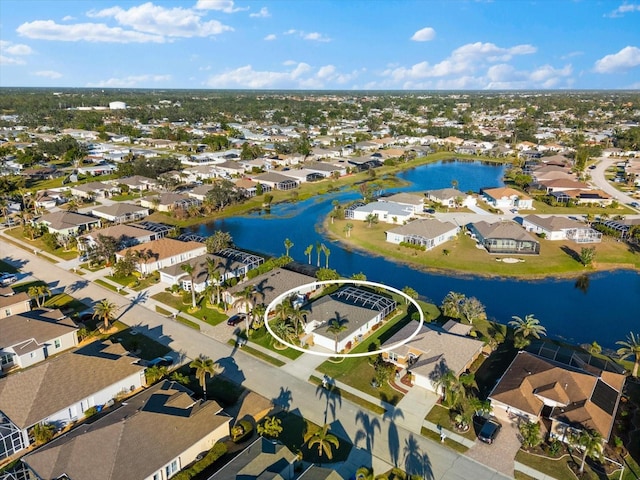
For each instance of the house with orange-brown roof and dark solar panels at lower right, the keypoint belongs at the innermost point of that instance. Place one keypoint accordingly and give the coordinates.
(534, 388)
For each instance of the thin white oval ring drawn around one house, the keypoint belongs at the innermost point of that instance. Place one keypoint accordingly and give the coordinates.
(282, 296)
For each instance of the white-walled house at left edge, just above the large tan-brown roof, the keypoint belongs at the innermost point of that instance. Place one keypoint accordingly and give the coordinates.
(30, 337)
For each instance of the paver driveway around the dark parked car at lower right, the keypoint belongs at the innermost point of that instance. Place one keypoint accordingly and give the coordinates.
(501, 453)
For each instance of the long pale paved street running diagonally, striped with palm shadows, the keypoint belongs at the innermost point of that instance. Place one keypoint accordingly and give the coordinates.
(395, 442)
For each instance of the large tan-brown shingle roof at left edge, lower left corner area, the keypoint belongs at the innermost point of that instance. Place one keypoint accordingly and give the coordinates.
(28, 396)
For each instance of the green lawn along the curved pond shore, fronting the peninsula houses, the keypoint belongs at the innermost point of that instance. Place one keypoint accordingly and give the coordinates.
(556, 257)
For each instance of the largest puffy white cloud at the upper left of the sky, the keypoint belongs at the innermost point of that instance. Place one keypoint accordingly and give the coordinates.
(158, 20)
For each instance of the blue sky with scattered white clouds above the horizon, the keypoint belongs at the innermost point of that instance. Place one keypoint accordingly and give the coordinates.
(321, 44)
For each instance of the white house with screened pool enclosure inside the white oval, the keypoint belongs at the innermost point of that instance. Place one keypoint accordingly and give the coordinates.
(356, 309)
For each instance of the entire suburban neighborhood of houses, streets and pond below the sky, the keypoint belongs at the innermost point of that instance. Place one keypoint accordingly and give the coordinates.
(183, 293)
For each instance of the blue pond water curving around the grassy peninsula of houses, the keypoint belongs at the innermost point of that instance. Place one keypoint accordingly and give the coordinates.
(605, 307)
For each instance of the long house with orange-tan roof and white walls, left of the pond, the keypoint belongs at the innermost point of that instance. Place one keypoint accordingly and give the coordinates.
(162, 253)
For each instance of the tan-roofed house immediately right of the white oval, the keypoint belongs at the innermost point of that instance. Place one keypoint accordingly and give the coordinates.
(431, 353)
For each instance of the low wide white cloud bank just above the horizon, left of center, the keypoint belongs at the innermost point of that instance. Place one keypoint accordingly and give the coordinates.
(296, 75)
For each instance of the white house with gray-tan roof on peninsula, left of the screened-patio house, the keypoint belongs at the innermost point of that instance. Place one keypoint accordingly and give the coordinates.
(425, 232)
